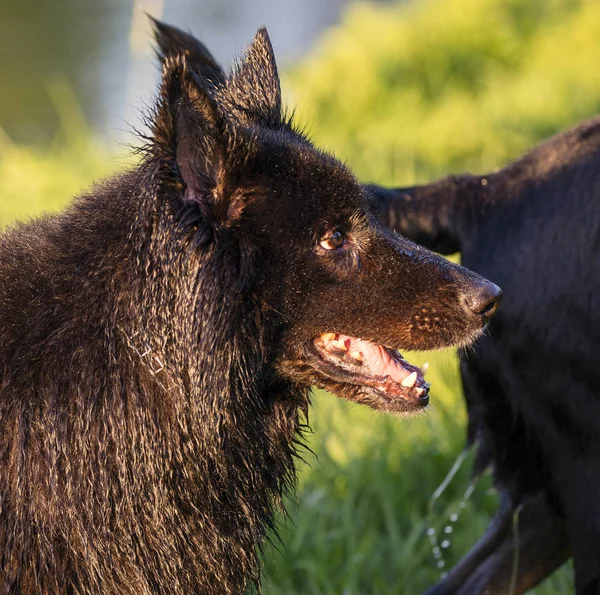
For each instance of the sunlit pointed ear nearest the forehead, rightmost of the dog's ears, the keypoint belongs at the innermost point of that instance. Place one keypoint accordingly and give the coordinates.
(254, 87)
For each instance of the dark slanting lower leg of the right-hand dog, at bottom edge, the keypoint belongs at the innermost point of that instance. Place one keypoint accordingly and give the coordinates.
(499, 562)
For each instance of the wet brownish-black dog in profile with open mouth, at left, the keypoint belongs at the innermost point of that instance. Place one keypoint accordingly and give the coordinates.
(158, 338)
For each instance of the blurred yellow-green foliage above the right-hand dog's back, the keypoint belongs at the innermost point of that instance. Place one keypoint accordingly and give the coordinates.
(414, 90)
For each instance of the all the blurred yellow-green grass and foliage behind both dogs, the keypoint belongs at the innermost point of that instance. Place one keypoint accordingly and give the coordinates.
(404, 93)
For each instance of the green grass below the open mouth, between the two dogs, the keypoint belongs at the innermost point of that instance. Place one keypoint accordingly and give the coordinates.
(358, 524)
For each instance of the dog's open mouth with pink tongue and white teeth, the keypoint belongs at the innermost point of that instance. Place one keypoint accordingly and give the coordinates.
(377, 371)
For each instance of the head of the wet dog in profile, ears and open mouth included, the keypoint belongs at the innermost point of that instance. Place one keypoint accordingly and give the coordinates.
(343, 295)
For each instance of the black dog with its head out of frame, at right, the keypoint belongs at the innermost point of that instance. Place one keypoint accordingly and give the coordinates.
(533, 385)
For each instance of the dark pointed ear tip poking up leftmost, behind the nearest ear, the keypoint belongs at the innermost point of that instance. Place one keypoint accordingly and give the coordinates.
(172, 41)
